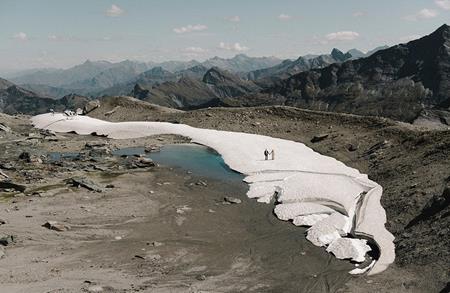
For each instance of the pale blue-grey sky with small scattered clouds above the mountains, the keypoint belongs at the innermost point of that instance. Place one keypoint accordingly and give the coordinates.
(62, 33)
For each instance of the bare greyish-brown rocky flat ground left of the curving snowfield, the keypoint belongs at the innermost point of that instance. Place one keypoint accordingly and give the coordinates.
(76, 218)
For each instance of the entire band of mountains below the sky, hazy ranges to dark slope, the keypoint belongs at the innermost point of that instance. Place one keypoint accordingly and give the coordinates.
(399, 82)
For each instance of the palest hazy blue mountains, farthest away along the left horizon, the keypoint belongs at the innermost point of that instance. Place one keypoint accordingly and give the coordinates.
(96, 77)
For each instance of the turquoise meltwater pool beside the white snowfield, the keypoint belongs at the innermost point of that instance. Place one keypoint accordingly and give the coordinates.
(200, 160)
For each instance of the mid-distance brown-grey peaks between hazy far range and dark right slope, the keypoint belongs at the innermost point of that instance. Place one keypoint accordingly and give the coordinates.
(197, 86)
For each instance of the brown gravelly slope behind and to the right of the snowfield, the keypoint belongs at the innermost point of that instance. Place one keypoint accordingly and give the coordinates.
(411, 163)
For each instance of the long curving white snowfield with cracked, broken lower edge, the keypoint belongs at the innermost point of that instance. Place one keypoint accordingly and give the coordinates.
(338, 202)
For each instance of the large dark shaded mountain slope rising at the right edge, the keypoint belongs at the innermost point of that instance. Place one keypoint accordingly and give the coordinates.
(398, 82)
